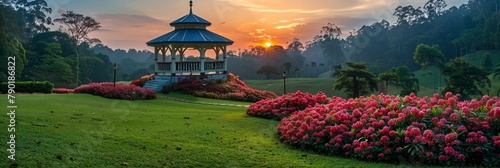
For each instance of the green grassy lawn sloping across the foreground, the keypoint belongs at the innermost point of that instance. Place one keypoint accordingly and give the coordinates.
(88, 131)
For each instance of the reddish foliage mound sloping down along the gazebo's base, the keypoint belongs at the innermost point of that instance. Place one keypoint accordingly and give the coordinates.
(232, 89)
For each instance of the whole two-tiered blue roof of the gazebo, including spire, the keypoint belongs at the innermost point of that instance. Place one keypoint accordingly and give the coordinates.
(190, 29)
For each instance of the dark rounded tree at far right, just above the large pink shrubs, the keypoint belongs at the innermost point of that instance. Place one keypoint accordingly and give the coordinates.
(465, 79)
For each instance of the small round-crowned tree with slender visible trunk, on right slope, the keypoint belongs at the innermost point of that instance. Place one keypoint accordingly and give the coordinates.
(427, 55)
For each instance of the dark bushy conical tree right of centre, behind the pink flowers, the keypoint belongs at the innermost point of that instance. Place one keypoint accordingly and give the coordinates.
(357, 80)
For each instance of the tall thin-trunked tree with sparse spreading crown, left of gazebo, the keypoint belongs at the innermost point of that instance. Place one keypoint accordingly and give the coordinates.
(78, 27)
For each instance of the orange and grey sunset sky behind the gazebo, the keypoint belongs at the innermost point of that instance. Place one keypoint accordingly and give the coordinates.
(131, 23)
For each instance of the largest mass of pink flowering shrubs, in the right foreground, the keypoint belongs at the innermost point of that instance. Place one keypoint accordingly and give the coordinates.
(410, 129)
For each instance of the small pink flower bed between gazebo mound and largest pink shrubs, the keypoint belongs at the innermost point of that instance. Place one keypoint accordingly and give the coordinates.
(285, 105)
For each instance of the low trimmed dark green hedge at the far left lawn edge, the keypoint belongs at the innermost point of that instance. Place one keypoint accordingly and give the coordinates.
(29, 87)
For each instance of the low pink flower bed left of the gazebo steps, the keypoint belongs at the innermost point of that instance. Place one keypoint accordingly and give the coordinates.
(120, 91)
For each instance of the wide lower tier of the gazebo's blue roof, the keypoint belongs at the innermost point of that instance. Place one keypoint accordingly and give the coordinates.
(190, 36)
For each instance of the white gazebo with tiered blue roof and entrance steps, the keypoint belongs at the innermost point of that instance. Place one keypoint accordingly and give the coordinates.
(190, 33)
